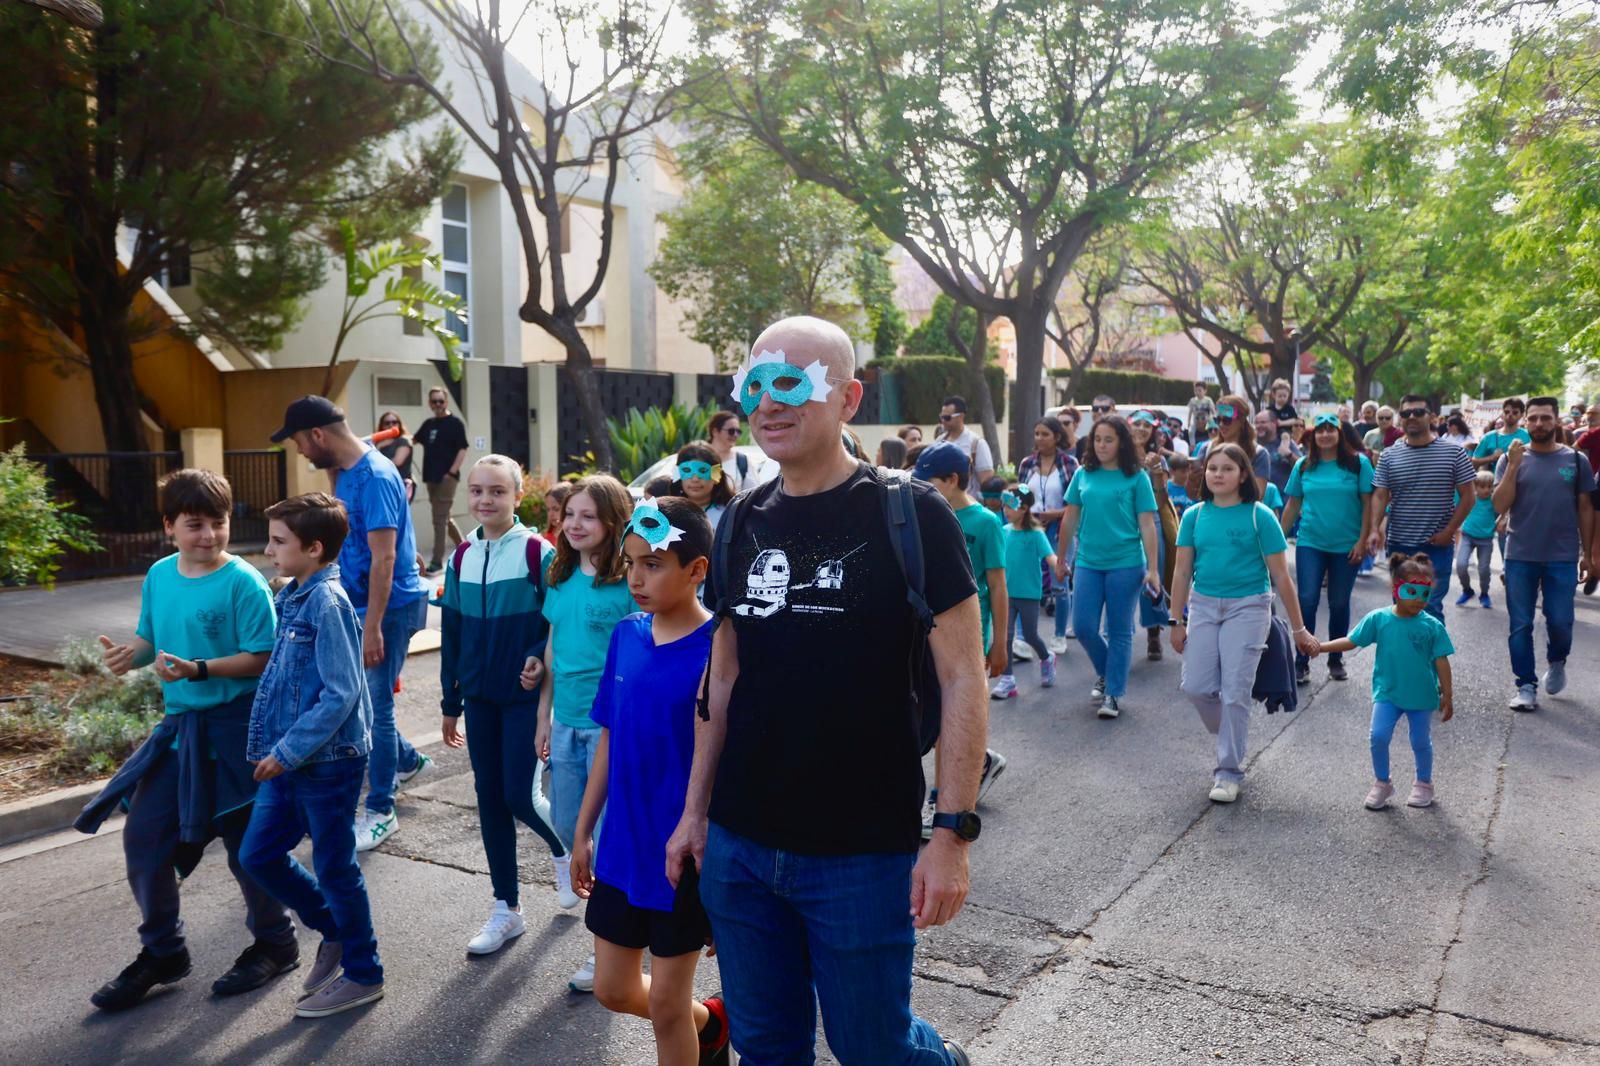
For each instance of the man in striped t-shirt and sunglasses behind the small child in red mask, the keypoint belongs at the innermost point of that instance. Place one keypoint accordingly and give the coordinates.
(1422, 495)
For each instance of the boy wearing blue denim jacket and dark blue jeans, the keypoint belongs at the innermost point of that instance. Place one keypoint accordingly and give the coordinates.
(310, 739)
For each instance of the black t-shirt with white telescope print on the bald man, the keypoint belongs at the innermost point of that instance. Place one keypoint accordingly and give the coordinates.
(823, 753)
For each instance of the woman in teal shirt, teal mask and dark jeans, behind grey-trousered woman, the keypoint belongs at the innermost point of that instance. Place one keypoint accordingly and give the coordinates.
(1329, 492)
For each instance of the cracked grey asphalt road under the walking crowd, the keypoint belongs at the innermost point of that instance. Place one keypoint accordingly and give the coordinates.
(1116, 916)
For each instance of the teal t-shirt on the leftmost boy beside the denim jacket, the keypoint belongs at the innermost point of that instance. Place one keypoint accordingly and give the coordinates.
(222, 614)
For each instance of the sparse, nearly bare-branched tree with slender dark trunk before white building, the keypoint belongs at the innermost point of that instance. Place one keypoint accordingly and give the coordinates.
(574, 142)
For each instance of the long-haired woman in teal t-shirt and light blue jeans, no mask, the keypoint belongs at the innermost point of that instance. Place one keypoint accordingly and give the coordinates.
(1111, 510)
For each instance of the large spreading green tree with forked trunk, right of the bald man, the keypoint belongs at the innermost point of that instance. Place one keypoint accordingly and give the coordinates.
(990, 140)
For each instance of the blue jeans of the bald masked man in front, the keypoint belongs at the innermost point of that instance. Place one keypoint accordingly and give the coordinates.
(794, 931)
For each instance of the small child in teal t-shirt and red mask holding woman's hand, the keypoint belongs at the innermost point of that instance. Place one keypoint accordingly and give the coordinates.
(1410, 676)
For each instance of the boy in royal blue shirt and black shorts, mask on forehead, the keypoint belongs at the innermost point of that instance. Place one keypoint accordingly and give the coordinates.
(646, 710)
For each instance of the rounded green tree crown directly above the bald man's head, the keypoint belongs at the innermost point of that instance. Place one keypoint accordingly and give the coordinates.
(751, 244)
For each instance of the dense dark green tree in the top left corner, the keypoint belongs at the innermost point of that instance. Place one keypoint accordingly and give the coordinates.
(178, 134)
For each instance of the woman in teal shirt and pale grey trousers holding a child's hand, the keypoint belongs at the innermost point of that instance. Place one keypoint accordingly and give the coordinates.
(1231, 551)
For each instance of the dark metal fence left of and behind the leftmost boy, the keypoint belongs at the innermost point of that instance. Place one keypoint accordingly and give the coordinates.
(116, 492)
